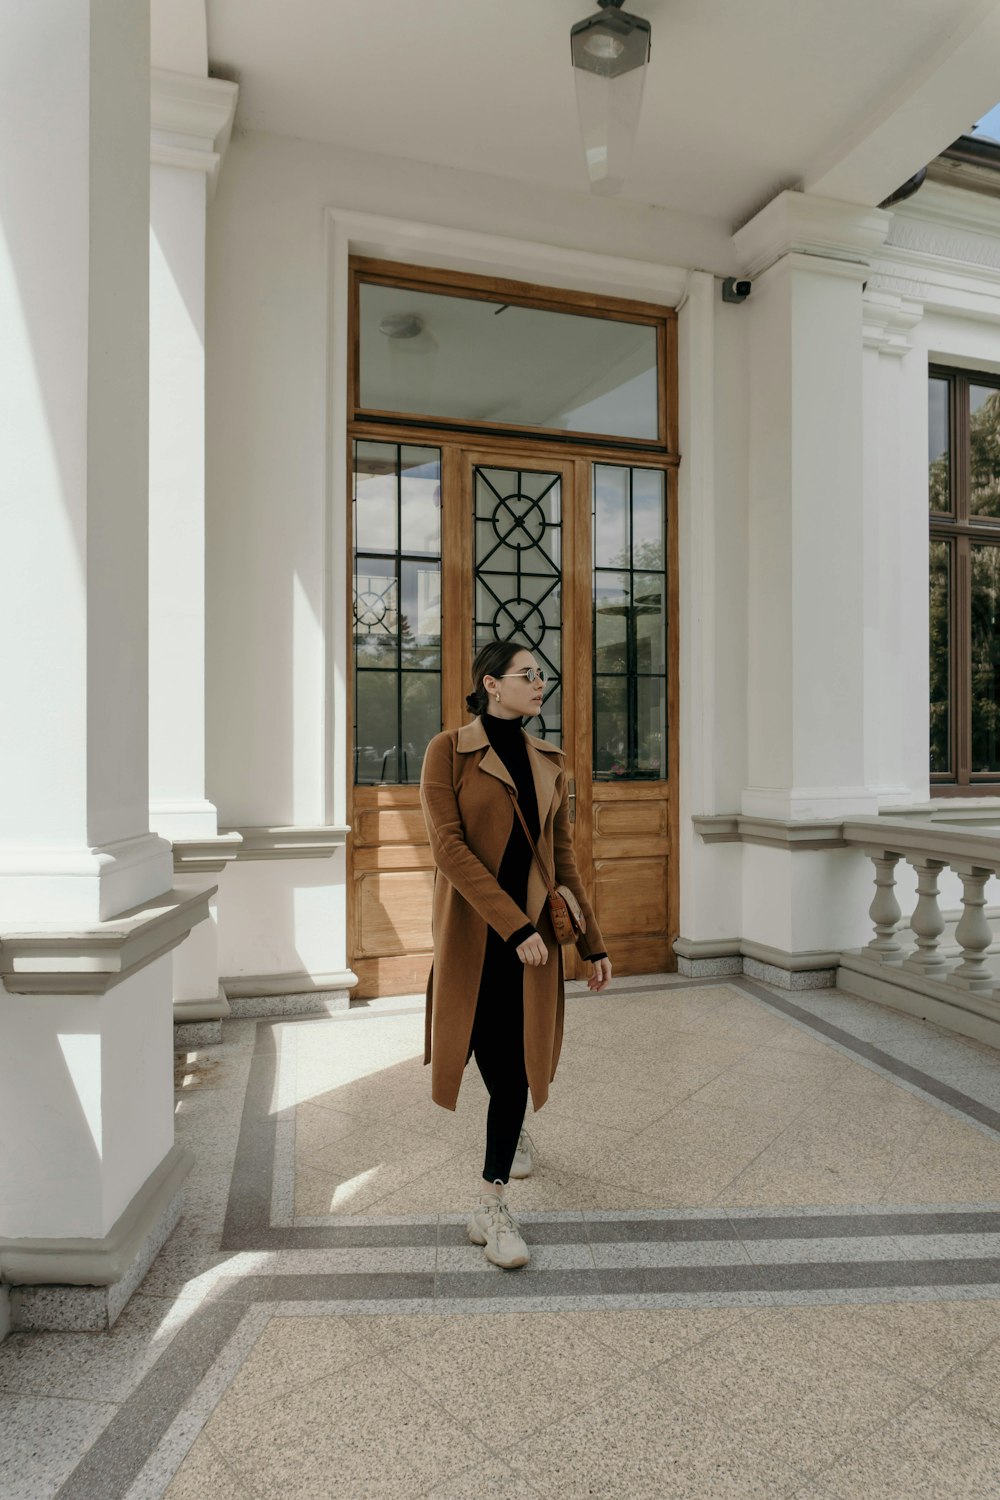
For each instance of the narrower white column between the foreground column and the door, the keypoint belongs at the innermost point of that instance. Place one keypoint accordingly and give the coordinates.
(191, 124)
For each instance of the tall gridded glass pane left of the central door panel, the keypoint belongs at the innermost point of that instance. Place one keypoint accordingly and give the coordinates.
(397, 610)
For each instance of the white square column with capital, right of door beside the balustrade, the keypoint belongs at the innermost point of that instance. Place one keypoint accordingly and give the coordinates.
(807, 260)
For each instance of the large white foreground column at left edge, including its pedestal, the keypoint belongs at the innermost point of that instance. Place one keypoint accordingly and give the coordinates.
(85, 1009)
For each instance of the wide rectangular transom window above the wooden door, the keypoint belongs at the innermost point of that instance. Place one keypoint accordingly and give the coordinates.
(504, 358)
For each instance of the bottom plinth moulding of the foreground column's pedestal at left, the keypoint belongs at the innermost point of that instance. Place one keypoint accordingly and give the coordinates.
(83, 1285)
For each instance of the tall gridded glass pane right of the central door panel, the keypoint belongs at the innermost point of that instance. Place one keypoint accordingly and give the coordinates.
(630, 625)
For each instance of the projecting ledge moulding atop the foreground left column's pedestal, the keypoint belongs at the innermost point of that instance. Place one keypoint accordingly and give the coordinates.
(91, 961)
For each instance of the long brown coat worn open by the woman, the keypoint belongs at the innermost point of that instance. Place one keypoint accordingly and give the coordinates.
(470, 815)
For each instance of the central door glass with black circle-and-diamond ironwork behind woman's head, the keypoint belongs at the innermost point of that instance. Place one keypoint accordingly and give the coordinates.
(518, 518)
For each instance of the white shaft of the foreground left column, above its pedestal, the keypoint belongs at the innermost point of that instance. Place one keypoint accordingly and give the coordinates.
(74, 310)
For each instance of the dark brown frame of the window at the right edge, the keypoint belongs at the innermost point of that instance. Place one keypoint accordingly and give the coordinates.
(962, 530)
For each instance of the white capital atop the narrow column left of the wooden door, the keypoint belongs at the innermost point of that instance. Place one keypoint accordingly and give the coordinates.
(191, 122)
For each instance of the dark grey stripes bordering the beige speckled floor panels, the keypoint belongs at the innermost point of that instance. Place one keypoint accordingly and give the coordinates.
(112, 1465)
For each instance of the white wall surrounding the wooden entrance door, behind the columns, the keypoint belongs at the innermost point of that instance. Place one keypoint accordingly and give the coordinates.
(268, 503)
